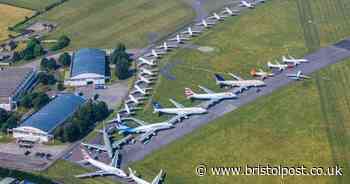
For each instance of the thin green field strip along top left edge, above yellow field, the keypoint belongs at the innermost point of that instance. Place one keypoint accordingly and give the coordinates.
(29, 4)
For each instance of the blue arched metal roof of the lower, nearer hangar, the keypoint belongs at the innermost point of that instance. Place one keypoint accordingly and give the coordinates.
(54, 113)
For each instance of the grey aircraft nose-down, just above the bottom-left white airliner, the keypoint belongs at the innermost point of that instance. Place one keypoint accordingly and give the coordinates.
(107, 147)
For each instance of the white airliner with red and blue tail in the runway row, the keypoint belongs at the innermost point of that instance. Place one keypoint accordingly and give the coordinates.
(208, 95)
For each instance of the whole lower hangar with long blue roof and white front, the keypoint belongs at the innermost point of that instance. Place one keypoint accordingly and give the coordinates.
(40, 126)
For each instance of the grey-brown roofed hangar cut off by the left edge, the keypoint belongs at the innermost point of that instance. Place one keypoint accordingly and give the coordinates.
(14, 82)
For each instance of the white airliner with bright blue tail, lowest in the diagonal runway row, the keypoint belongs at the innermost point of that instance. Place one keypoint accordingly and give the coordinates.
(146, 129)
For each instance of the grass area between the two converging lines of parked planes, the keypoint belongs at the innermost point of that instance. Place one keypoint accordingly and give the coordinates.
(249, 41)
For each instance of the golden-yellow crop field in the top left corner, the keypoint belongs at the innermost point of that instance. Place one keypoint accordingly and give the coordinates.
(10, 15)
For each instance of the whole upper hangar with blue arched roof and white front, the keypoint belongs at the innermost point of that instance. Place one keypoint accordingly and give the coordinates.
(88, 67)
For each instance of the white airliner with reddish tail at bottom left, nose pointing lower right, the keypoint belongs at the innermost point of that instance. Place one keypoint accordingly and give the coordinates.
(104, 169)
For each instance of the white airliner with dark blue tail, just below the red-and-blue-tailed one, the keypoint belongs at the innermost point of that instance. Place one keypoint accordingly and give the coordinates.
(179, 109)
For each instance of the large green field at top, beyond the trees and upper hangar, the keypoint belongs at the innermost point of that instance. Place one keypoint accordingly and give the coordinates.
(104, 23)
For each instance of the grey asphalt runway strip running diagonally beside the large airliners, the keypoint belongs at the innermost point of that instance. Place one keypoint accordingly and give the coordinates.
(318, 60)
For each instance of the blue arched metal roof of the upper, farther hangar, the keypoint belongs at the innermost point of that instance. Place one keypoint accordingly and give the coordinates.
(89, 60)
